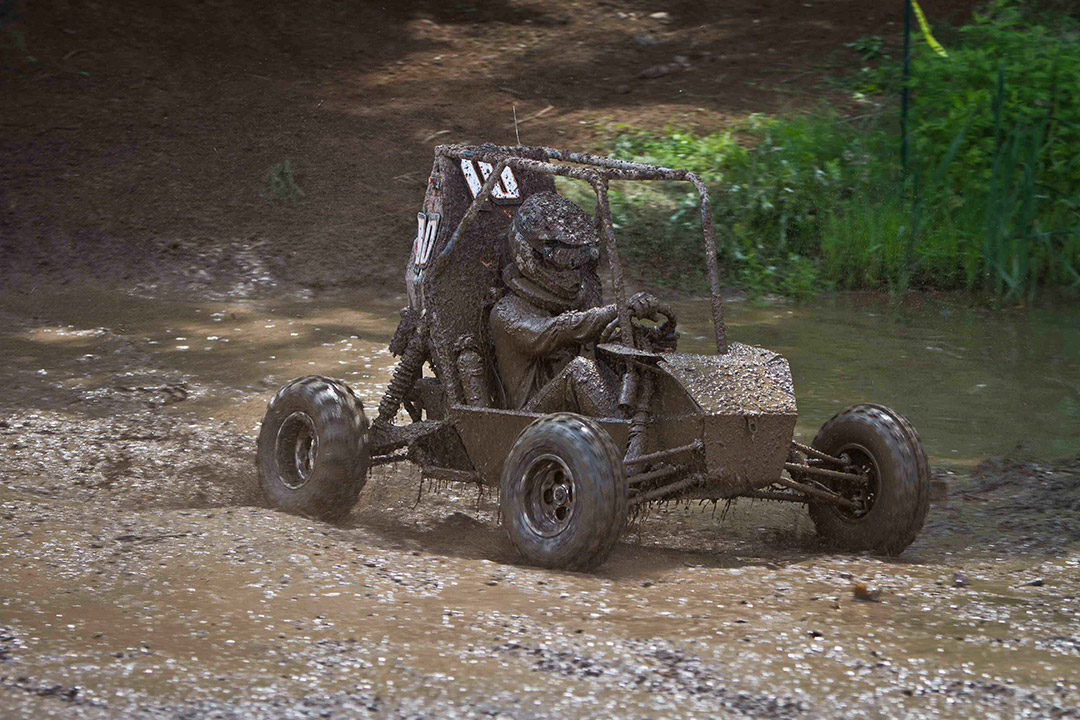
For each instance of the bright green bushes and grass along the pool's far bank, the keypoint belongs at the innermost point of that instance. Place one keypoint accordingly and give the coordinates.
(991, 201)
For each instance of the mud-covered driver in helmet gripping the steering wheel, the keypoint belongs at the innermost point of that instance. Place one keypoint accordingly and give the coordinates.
(542, 328)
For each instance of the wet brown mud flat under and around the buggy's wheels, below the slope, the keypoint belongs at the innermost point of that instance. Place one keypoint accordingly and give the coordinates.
(140, 577)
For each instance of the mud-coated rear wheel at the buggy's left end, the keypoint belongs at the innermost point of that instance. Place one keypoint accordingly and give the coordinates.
(313, 450)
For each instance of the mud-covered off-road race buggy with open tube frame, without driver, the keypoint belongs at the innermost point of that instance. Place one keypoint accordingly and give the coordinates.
(688, 427)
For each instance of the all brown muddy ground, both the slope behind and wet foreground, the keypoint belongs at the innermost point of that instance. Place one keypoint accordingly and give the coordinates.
(140, 577)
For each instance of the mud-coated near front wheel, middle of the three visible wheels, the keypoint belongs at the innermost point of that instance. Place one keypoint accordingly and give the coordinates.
(563, 496)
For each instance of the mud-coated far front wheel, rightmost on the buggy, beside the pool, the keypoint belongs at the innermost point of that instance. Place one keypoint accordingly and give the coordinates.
(880, 443)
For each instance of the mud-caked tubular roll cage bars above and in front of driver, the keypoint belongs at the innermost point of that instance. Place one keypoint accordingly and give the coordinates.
(598, 171)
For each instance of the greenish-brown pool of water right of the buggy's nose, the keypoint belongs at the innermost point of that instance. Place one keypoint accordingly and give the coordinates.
(974, 383)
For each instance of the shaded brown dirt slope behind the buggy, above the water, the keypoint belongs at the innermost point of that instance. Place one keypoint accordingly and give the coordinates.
(137, 138)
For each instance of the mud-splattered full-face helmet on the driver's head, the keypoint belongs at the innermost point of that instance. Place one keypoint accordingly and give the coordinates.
(553, 243)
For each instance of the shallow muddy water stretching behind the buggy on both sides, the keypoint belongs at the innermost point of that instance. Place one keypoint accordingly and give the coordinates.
(975, 384)
